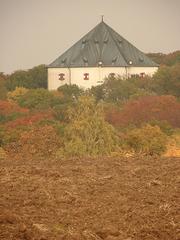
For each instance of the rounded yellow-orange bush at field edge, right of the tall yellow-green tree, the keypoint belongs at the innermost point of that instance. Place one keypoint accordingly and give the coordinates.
(147, 139)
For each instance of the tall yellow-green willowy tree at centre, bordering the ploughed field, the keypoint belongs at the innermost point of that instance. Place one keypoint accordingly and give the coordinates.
(87, 133)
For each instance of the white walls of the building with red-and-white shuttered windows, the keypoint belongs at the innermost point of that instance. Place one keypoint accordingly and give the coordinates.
(86, 77)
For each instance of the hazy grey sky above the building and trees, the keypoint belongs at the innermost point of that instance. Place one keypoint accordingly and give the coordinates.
(36, 32)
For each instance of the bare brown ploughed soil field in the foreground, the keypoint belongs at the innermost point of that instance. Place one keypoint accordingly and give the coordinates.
(87, 199)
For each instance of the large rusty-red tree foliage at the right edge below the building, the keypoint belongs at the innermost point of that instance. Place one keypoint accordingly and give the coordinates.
(145, 109)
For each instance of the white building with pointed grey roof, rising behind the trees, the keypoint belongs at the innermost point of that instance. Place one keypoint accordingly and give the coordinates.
(102, 52)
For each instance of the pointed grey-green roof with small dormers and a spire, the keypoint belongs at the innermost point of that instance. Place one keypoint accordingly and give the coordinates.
(102, 44)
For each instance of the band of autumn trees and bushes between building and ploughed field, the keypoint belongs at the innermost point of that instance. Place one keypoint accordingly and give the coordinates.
(138, 115)
